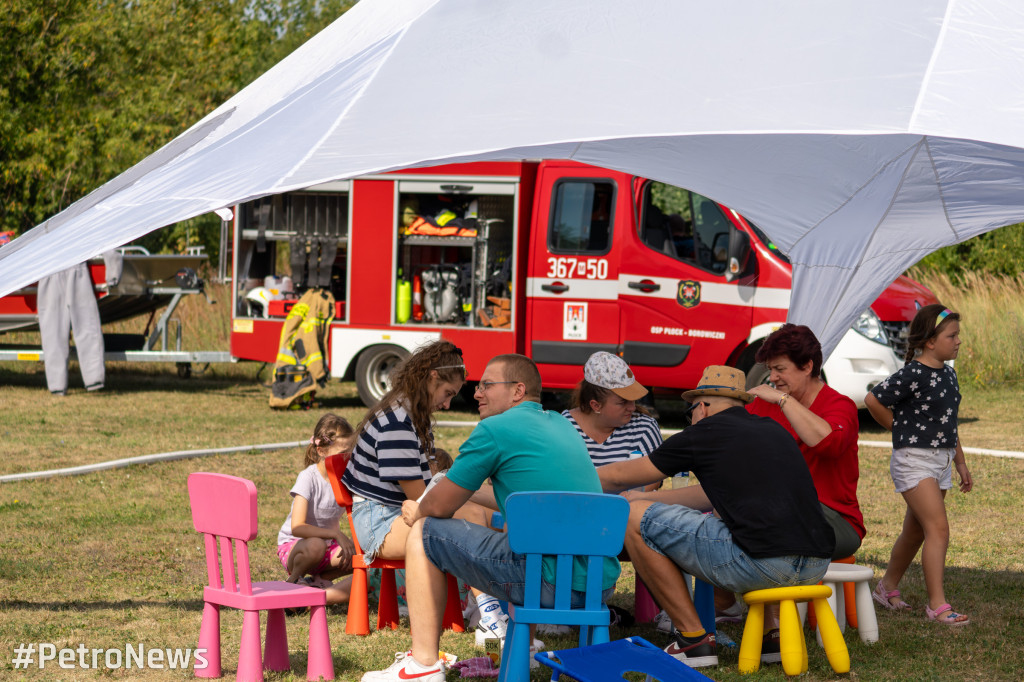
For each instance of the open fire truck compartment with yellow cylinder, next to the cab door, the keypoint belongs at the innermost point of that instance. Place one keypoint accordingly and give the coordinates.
(455, 253)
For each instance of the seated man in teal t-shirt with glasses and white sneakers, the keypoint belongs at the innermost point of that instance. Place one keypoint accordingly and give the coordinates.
(521, 448)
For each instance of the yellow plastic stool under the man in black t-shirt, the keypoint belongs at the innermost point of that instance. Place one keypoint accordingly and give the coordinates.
(792, 645)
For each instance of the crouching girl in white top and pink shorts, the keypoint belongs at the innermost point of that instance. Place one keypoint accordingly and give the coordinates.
(311, 541)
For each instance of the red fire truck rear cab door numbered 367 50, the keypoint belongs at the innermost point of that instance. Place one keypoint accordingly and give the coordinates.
(573, 273)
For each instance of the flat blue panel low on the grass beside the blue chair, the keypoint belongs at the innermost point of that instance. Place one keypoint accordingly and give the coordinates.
(611, 661)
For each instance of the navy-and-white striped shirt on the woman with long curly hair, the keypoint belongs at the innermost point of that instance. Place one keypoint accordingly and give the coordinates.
(388, 452)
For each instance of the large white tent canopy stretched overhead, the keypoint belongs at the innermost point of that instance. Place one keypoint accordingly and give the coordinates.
(861, 136)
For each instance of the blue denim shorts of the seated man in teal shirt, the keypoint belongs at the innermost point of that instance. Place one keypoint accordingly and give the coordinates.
(483, 559)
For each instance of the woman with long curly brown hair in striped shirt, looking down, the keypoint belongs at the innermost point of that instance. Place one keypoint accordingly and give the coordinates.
(392, 459)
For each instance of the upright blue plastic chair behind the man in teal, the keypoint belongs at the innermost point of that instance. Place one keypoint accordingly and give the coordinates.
(590, 526)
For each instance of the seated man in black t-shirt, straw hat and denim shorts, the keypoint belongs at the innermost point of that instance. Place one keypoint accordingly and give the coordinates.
(767, 531)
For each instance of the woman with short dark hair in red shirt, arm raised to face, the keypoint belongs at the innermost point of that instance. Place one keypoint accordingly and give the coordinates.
(824, 422)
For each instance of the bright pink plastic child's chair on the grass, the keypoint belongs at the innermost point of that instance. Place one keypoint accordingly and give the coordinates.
(225, 509)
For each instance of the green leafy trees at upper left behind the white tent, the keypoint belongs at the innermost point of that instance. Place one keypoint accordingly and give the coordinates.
(91, 88)
